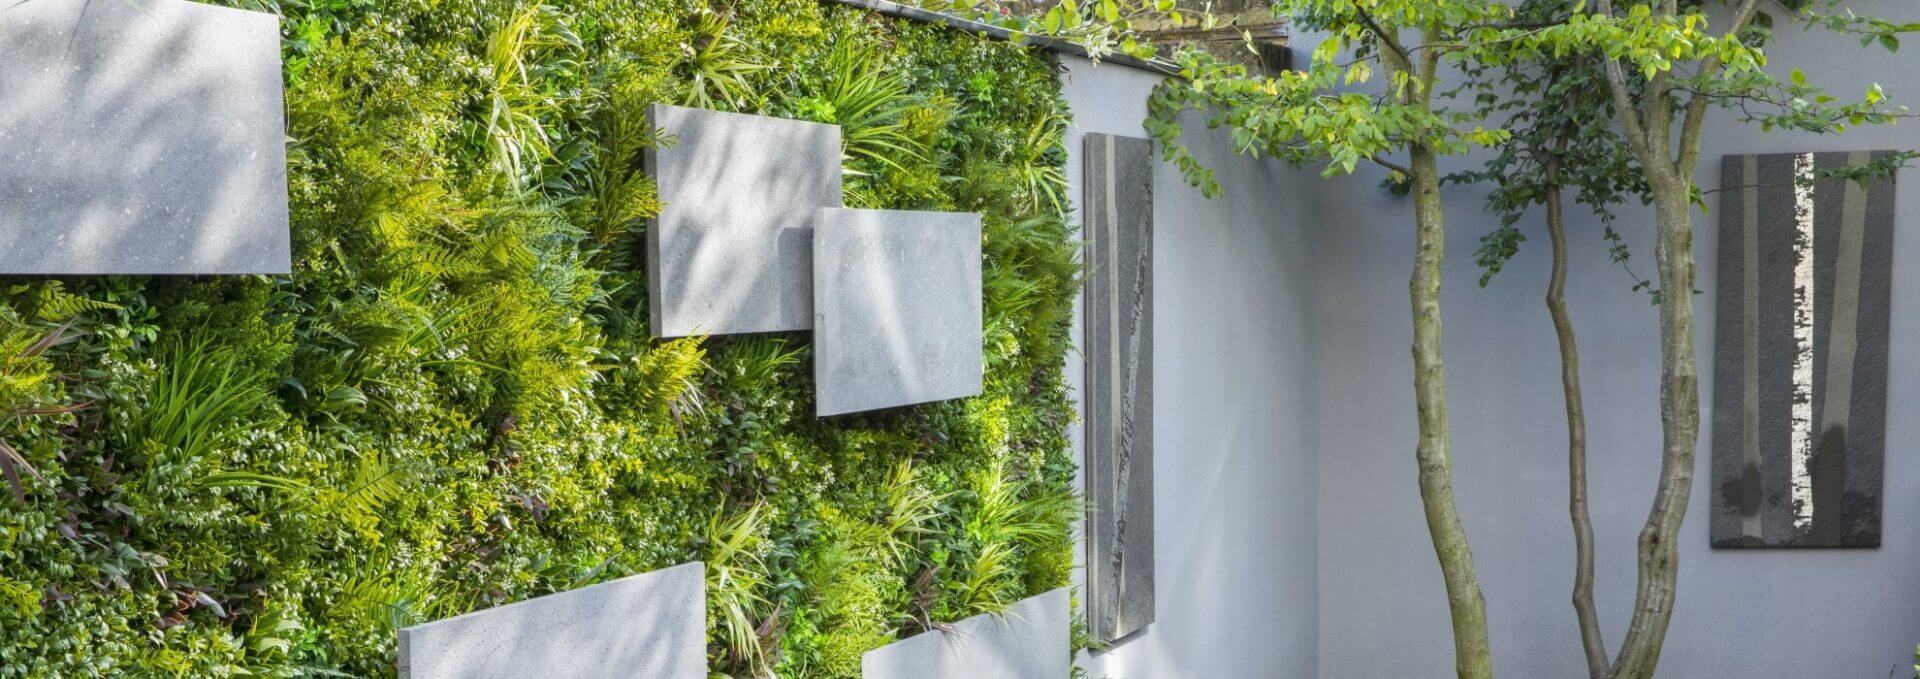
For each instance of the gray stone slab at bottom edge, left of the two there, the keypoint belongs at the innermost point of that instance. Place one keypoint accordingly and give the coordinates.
(642, 626)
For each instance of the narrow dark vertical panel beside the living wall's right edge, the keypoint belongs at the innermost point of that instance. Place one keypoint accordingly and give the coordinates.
(1120, 385)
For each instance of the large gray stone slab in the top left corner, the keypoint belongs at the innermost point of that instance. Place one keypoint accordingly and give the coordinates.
(141, 137)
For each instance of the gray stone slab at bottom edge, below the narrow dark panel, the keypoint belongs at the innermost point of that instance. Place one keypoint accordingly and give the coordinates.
(1030, 642)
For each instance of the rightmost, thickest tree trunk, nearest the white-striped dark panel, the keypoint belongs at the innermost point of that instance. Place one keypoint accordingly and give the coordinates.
(1660, 565)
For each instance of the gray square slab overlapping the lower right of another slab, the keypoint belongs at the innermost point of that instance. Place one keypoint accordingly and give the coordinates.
(898, 310)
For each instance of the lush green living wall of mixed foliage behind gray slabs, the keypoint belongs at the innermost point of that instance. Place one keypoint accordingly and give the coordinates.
(454, 400)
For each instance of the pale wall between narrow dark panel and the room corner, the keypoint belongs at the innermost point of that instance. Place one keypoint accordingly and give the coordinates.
(1234, 396)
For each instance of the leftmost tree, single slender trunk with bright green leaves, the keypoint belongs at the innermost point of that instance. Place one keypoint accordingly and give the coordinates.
(1322, 116)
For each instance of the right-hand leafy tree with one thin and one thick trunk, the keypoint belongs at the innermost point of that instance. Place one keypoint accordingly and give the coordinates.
(1679, 70)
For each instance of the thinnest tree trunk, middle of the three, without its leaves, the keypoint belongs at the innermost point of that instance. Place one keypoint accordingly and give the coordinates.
(1577, 505)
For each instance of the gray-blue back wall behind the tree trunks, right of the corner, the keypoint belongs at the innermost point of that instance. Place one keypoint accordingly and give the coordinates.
(1740, 613)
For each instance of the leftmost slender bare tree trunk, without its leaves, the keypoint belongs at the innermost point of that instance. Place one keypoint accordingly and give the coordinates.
(1472, 649)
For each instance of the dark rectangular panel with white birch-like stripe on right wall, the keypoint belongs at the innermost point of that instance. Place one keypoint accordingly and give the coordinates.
(1802, 354)
